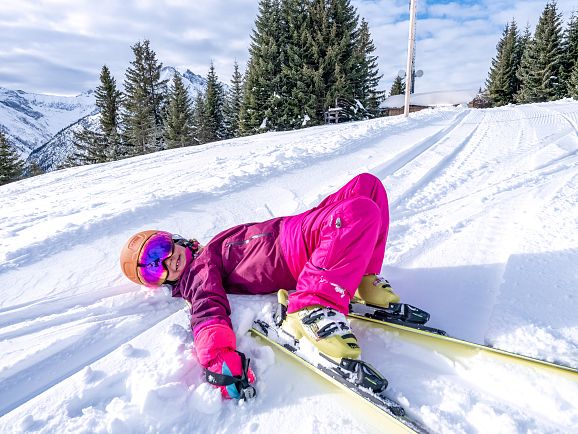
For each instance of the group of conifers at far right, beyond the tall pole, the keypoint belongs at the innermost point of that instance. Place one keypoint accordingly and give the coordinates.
(535, 68)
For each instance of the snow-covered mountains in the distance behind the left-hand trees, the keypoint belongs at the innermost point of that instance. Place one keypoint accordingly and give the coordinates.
(40, 126)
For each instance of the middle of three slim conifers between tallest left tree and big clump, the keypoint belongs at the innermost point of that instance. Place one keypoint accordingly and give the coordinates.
(213, 127)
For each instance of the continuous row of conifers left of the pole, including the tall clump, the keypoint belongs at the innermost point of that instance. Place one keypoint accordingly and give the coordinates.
(305, 56)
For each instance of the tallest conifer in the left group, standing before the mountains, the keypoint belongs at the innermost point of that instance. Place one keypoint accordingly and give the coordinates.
(144, 101)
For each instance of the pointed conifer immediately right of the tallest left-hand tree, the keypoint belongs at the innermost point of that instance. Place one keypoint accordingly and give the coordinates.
(179, 127)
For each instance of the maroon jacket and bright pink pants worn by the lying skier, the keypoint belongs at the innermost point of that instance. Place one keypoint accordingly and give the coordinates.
(322, 253)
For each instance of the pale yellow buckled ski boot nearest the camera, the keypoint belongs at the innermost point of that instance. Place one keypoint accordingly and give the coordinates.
(327, 329)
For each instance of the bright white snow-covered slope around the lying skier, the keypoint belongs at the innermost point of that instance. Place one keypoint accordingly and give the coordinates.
(484, 235)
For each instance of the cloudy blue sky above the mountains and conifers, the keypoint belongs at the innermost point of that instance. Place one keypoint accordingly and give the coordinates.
(59, 46)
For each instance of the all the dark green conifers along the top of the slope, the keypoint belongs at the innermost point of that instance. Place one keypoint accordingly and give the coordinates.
(305, 56)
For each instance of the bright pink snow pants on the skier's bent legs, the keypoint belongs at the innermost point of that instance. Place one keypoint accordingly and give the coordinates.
(332, 246)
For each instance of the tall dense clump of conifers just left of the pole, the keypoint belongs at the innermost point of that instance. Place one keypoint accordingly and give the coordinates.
(305, 57)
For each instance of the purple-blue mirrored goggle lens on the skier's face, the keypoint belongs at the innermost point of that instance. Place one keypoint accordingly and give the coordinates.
(150, 268)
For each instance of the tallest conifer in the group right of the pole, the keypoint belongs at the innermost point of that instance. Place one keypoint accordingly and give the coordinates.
(541, 64)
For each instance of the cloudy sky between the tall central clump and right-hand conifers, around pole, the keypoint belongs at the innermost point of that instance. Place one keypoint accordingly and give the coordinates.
(455, 40)
